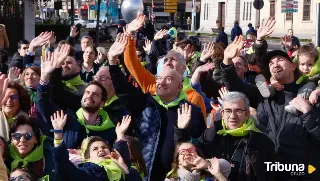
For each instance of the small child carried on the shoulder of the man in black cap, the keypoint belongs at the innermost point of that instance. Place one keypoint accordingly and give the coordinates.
(308, 64)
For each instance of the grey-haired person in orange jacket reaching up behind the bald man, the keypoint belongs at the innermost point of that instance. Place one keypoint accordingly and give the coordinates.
(147, 80)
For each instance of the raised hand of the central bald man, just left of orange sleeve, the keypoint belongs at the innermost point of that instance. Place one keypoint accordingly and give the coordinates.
(117, 48)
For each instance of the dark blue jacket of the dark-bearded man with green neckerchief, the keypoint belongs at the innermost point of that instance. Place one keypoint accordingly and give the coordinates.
(74, 132)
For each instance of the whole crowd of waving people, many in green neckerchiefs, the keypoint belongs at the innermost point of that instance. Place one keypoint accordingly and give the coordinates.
(161, 109)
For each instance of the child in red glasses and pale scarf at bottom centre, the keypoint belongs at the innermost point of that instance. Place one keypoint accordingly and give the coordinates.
(186, 158)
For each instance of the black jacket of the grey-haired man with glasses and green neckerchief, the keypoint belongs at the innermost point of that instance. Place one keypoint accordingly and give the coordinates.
(247, 153)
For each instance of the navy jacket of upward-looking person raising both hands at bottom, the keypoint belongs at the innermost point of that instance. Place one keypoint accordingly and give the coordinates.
(88, 171)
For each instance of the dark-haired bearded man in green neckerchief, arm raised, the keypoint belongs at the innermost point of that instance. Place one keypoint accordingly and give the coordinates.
(89, 120)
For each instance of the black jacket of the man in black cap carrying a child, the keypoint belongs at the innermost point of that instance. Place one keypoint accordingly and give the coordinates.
(297, 139)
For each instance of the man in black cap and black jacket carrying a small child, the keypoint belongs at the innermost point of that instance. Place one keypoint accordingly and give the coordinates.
(296, 138)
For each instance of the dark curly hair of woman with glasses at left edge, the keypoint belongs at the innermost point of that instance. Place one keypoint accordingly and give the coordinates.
(24, 97)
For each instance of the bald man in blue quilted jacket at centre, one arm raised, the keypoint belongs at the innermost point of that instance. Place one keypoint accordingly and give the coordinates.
(156, 115)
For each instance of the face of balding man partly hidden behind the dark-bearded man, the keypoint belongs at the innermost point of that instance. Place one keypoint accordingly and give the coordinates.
(103, 77)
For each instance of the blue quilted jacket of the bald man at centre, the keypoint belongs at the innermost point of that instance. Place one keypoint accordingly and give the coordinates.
(154, 125)
